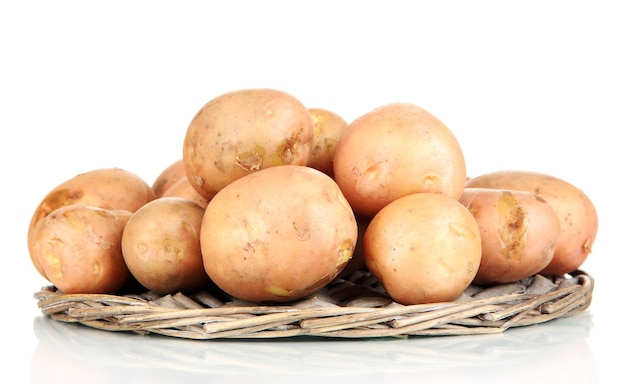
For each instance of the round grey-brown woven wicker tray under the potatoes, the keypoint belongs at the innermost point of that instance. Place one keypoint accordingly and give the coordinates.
(349, 307)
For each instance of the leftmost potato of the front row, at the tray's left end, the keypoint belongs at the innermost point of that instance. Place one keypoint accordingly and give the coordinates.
(79, 249)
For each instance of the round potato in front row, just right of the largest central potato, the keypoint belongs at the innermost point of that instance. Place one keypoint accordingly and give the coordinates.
(423, 248)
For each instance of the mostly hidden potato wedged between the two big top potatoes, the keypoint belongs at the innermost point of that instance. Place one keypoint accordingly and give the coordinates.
(327, 129)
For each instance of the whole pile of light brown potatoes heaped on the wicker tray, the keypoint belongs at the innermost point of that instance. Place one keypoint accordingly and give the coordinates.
(271, 200)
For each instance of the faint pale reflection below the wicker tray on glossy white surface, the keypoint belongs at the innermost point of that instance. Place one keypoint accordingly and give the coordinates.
(547, 352)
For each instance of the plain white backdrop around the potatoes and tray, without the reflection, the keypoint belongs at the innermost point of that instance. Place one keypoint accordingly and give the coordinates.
(532, 85)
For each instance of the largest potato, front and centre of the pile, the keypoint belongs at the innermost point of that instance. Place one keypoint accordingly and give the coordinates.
(277, 234)
